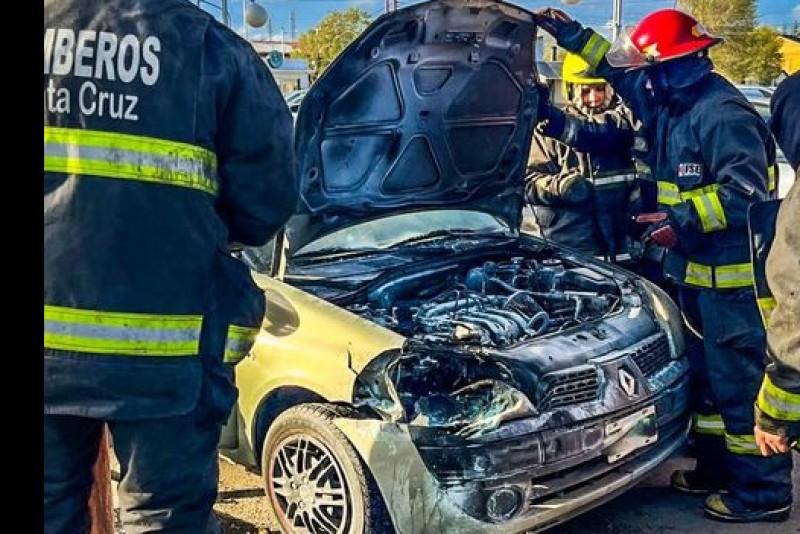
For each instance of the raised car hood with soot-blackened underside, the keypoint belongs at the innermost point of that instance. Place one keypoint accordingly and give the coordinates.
(431, 107)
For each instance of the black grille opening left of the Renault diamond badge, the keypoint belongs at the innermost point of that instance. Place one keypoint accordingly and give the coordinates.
(567, 388)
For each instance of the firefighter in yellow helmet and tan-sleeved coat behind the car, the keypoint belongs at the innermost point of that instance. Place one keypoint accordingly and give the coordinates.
(580, 196)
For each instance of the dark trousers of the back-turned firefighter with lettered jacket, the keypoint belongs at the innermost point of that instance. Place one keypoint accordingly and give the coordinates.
(168, 473)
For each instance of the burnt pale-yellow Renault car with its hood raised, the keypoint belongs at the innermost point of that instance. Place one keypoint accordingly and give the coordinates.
(424, 367)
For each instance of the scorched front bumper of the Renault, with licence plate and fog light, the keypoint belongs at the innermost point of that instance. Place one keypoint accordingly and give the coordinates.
(514, 480)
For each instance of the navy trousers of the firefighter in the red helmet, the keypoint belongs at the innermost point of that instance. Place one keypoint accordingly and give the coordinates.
(727, 369)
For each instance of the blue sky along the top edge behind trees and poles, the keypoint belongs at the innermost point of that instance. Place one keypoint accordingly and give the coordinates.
(595, 13)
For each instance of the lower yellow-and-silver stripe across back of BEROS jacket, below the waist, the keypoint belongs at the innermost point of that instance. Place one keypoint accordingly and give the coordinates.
(129, 334)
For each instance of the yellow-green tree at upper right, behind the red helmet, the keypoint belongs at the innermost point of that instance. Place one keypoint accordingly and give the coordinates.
(747, 52)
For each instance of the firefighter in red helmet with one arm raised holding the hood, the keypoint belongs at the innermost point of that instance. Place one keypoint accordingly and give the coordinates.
(712, 156)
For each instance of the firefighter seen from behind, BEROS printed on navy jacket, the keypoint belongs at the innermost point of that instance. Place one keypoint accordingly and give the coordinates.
(166, 145)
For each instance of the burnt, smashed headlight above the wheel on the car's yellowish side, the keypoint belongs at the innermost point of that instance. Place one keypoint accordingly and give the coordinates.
(442, 389)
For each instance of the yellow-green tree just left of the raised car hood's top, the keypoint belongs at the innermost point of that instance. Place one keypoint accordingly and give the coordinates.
(323, 43)
